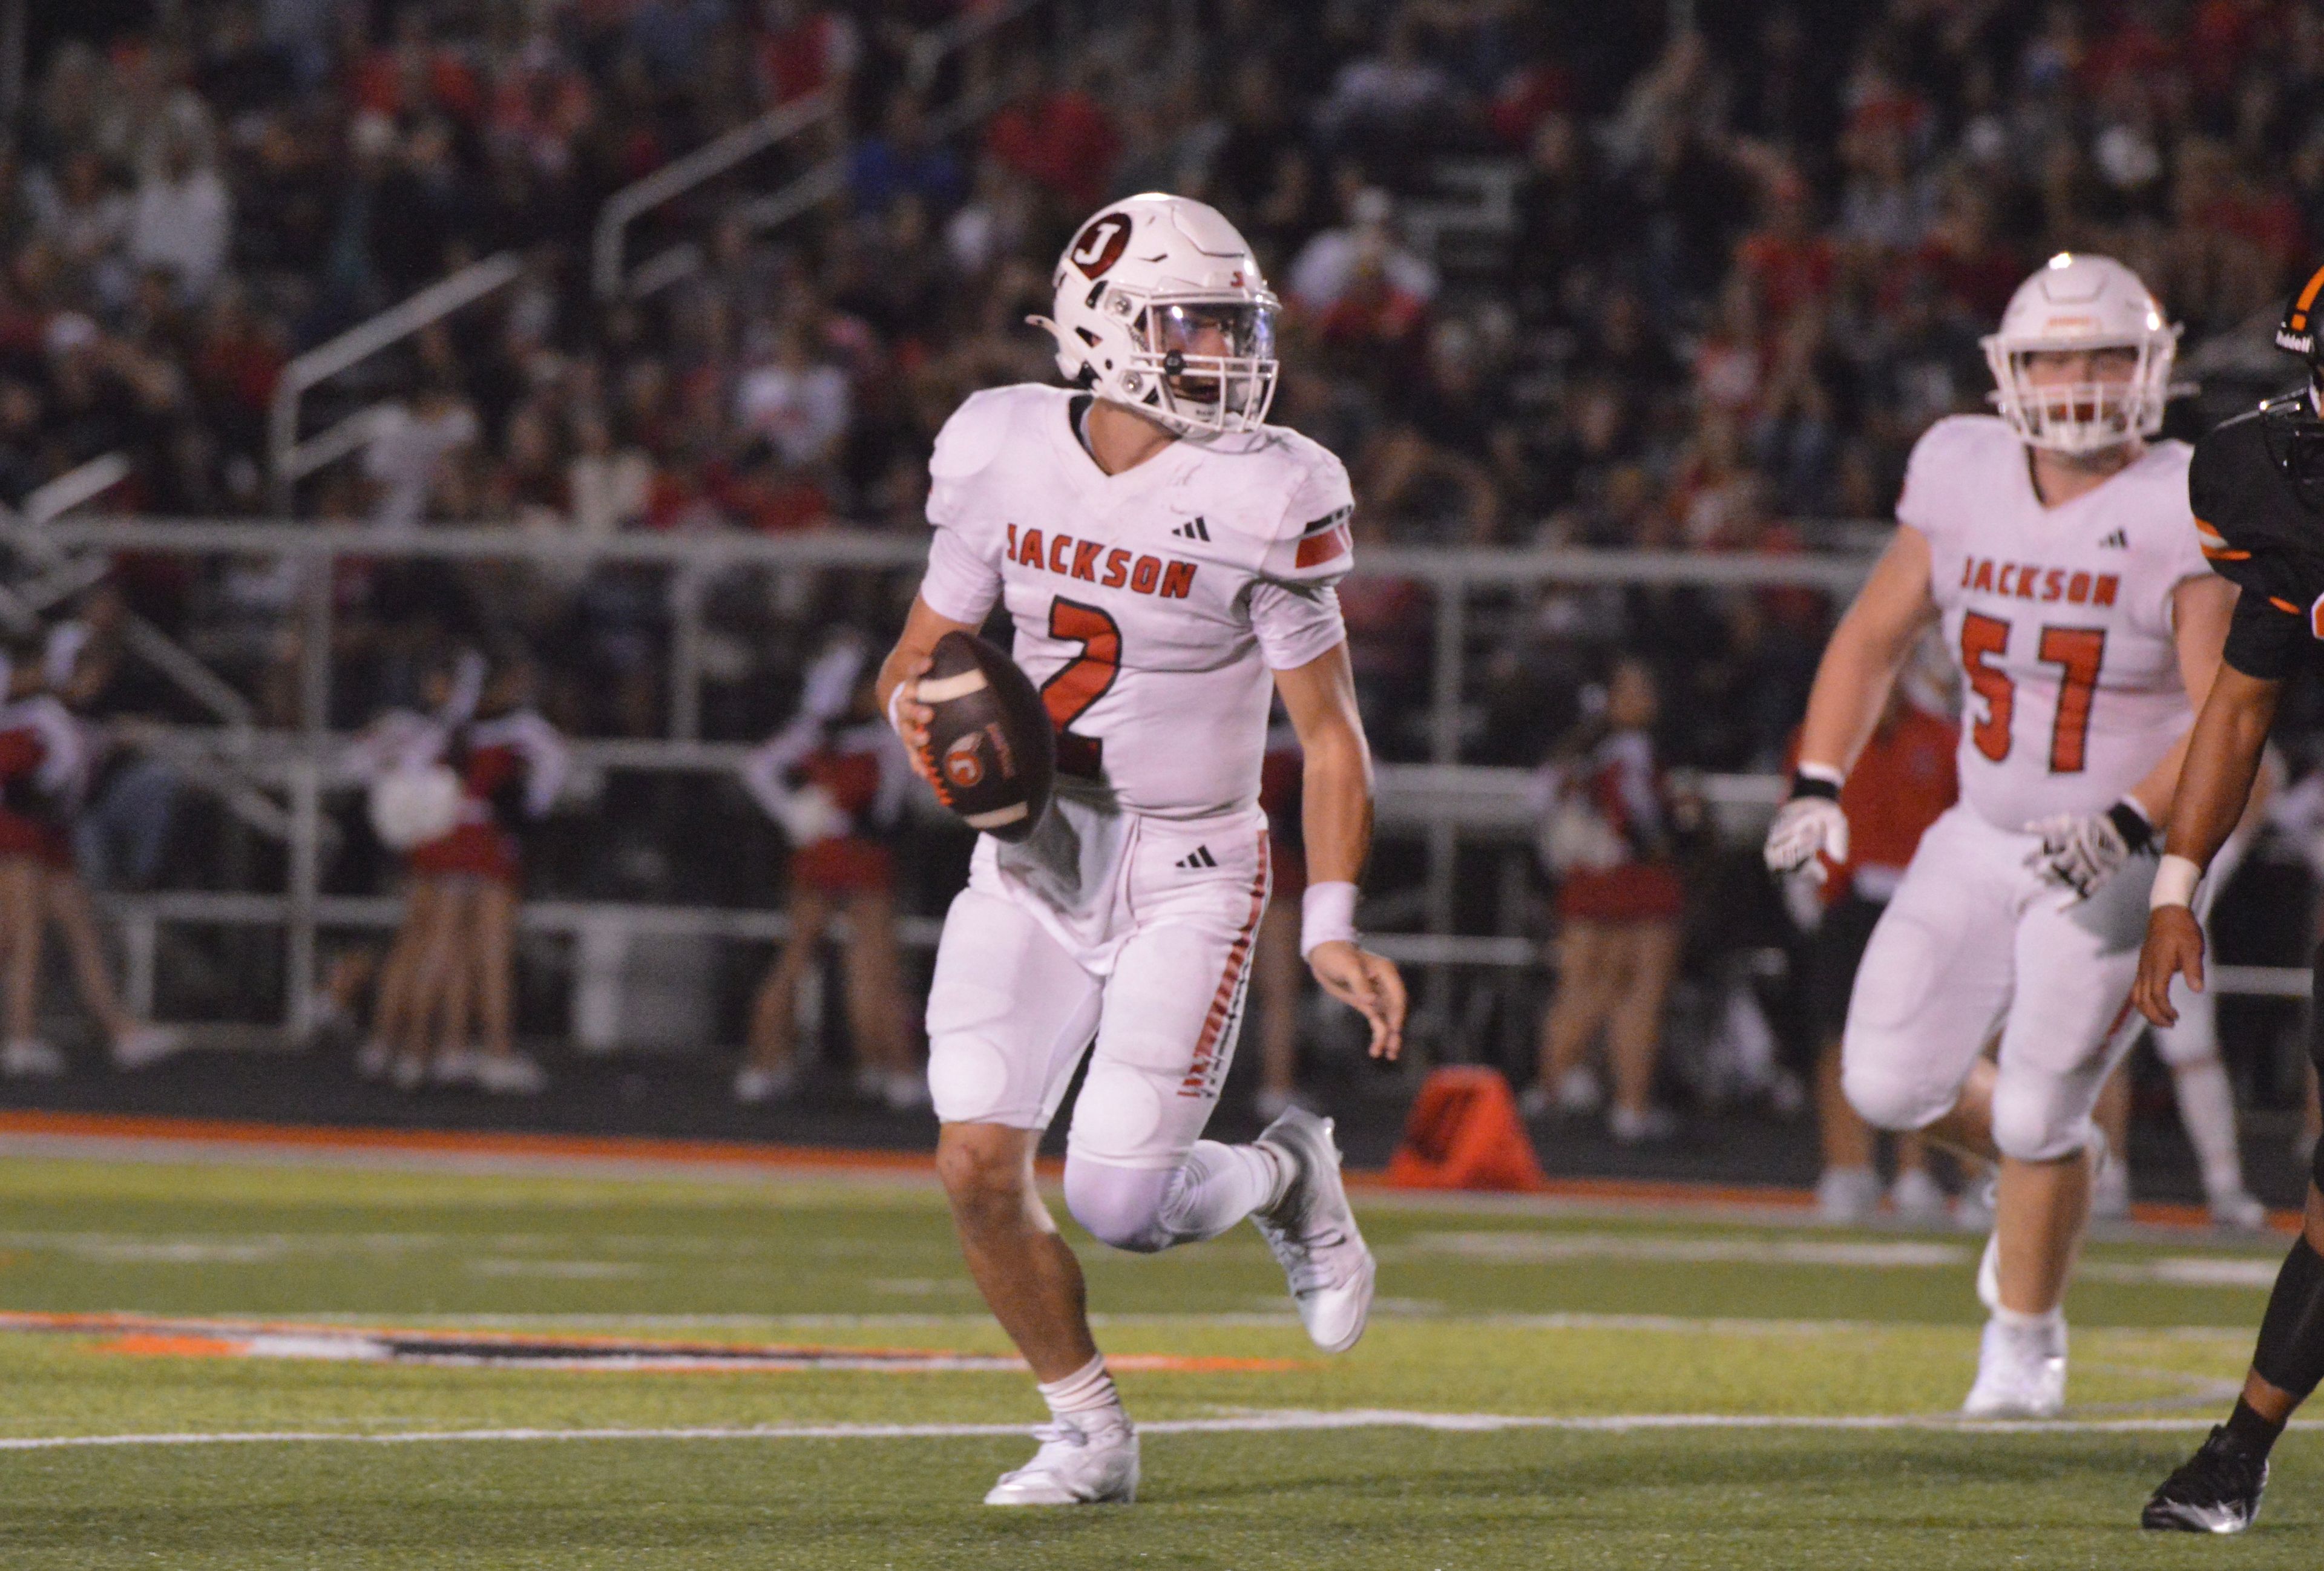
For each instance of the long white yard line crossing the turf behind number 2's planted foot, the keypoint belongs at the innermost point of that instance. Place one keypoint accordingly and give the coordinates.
(1242, 1423)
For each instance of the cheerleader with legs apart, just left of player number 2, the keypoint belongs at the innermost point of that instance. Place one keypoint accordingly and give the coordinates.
(835, 780)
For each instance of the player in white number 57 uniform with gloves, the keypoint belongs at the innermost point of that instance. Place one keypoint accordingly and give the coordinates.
(2058, 547)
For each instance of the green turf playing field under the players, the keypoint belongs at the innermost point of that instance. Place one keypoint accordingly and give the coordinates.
(1400, 1454)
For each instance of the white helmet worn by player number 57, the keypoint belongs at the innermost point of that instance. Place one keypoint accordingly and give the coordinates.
(2083, 303)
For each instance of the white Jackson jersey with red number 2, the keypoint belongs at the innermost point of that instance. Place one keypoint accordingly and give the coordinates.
(1149, 605)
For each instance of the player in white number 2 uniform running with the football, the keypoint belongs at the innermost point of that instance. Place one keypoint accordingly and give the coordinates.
(1168, 561)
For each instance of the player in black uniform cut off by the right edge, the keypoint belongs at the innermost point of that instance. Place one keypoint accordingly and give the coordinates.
(2258, 489)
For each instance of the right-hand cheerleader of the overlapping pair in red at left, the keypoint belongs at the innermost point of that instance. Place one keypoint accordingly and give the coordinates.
(510, 766)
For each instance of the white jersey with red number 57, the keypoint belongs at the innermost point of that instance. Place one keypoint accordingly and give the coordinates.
(2060, 617)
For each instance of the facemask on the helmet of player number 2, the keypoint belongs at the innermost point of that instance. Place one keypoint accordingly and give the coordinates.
(1203, 366)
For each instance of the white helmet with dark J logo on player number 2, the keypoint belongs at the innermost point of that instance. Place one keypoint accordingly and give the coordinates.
(1161, 308)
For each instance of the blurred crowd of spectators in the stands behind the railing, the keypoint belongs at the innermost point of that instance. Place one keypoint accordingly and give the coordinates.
(1742, 266)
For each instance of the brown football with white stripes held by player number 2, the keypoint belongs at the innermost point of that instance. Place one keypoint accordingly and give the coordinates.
(991, 749)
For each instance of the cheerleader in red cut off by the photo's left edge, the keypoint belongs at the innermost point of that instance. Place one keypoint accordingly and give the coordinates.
(43, 770)
